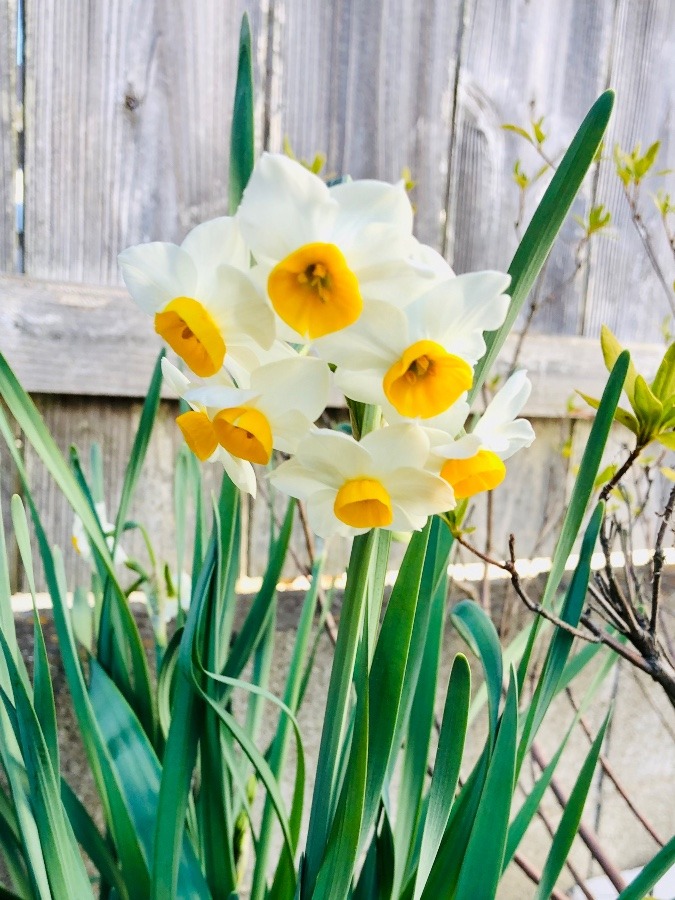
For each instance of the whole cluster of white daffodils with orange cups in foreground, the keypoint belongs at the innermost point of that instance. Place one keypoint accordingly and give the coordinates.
(335, 272)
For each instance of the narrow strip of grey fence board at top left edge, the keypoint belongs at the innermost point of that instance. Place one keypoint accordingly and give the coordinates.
(9, 120)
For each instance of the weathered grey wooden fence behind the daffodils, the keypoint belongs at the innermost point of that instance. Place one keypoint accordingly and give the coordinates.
(123, 137)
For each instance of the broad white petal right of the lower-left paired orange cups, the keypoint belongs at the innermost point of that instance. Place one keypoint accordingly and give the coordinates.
(300, 384)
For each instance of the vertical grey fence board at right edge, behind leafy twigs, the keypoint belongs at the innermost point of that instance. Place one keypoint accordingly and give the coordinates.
(623, 290)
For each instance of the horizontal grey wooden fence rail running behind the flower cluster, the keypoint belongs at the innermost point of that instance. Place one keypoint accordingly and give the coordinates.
(93, 341)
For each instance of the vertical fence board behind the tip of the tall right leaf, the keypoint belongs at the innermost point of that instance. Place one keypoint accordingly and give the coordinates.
(519, 57)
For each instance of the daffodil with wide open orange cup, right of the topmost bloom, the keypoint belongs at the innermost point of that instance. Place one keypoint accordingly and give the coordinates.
(416, 362)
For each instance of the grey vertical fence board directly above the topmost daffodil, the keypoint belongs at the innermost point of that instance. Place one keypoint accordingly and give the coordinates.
(370, 85)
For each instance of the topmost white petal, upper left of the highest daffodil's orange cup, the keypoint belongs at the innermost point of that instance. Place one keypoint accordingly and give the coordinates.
(284, 206)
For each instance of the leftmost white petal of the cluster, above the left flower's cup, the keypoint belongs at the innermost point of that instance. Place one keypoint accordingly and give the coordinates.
(156, 273)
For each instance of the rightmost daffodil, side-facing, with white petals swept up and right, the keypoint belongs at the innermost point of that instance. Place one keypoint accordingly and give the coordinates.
(475, 462)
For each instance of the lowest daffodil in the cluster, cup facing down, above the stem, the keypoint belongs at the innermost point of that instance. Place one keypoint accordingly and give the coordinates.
(378, 482)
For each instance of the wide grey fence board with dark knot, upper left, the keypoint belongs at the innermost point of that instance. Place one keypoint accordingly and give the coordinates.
(129, 108)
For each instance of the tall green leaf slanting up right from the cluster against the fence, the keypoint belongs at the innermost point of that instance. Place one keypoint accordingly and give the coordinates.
(545, 225)
